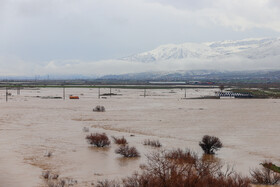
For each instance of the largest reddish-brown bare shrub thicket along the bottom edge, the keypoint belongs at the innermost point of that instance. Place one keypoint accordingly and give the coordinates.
(183, 169)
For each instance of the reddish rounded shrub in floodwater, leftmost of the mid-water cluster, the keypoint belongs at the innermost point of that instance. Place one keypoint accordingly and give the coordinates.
(99, 140)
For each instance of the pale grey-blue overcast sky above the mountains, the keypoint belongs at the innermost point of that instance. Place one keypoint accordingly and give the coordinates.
(36, 35)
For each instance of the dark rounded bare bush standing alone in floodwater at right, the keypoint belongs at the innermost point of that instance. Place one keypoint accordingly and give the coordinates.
(210, 144)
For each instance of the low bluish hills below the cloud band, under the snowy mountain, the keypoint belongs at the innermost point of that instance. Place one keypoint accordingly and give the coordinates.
(237, 76)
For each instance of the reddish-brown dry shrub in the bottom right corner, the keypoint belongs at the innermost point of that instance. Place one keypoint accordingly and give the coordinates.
(265, 175)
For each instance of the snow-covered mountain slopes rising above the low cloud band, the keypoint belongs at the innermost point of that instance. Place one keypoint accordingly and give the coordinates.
(246, 49)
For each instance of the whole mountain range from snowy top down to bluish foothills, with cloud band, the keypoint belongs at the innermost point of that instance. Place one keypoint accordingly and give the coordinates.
(254, 58)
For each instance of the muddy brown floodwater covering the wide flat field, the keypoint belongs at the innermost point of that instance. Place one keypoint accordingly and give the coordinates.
(33, 123)
